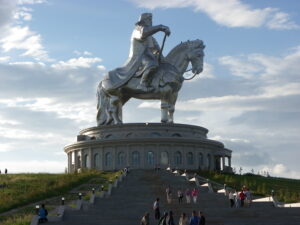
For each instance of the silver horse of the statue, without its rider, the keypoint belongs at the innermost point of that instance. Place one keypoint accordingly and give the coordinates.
(167, 81)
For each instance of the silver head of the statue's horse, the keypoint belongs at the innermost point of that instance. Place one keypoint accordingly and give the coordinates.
(195, 55)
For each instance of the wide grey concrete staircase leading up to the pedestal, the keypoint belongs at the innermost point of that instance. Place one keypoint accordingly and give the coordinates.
(138, 191)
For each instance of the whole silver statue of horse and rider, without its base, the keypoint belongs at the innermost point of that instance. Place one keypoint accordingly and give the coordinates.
(147, 74)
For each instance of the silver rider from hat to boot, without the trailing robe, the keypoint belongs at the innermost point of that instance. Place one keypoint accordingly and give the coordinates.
(145, 48)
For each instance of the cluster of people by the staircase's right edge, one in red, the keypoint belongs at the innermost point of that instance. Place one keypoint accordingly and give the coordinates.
(240, 199)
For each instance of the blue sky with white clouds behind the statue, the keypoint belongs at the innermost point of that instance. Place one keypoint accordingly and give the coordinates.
(53, 53)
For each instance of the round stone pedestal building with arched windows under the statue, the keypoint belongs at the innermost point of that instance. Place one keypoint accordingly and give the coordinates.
(146, 146)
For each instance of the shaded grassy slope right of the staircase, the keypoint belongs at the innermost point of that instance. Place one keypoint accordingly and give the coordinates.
(286, 190)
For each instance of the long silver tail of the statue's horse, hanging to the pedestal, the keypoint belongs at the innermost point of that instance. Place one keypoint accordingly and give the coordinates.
(102, 104)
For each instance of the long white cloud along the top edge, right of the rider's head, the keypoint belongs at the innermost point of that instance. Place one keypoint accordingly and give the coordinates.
(231, 13)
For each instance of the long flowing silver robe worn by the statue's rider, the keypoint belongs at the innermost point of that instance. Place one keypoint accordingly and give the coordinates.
(142, 55)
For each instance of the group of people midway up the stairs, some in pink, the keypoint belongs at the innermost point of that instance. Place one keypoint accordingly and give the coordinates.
(189, 194)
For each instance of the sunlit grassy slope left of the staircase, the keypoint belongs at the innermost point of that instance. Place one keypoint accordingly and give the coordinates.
(22, 189)
